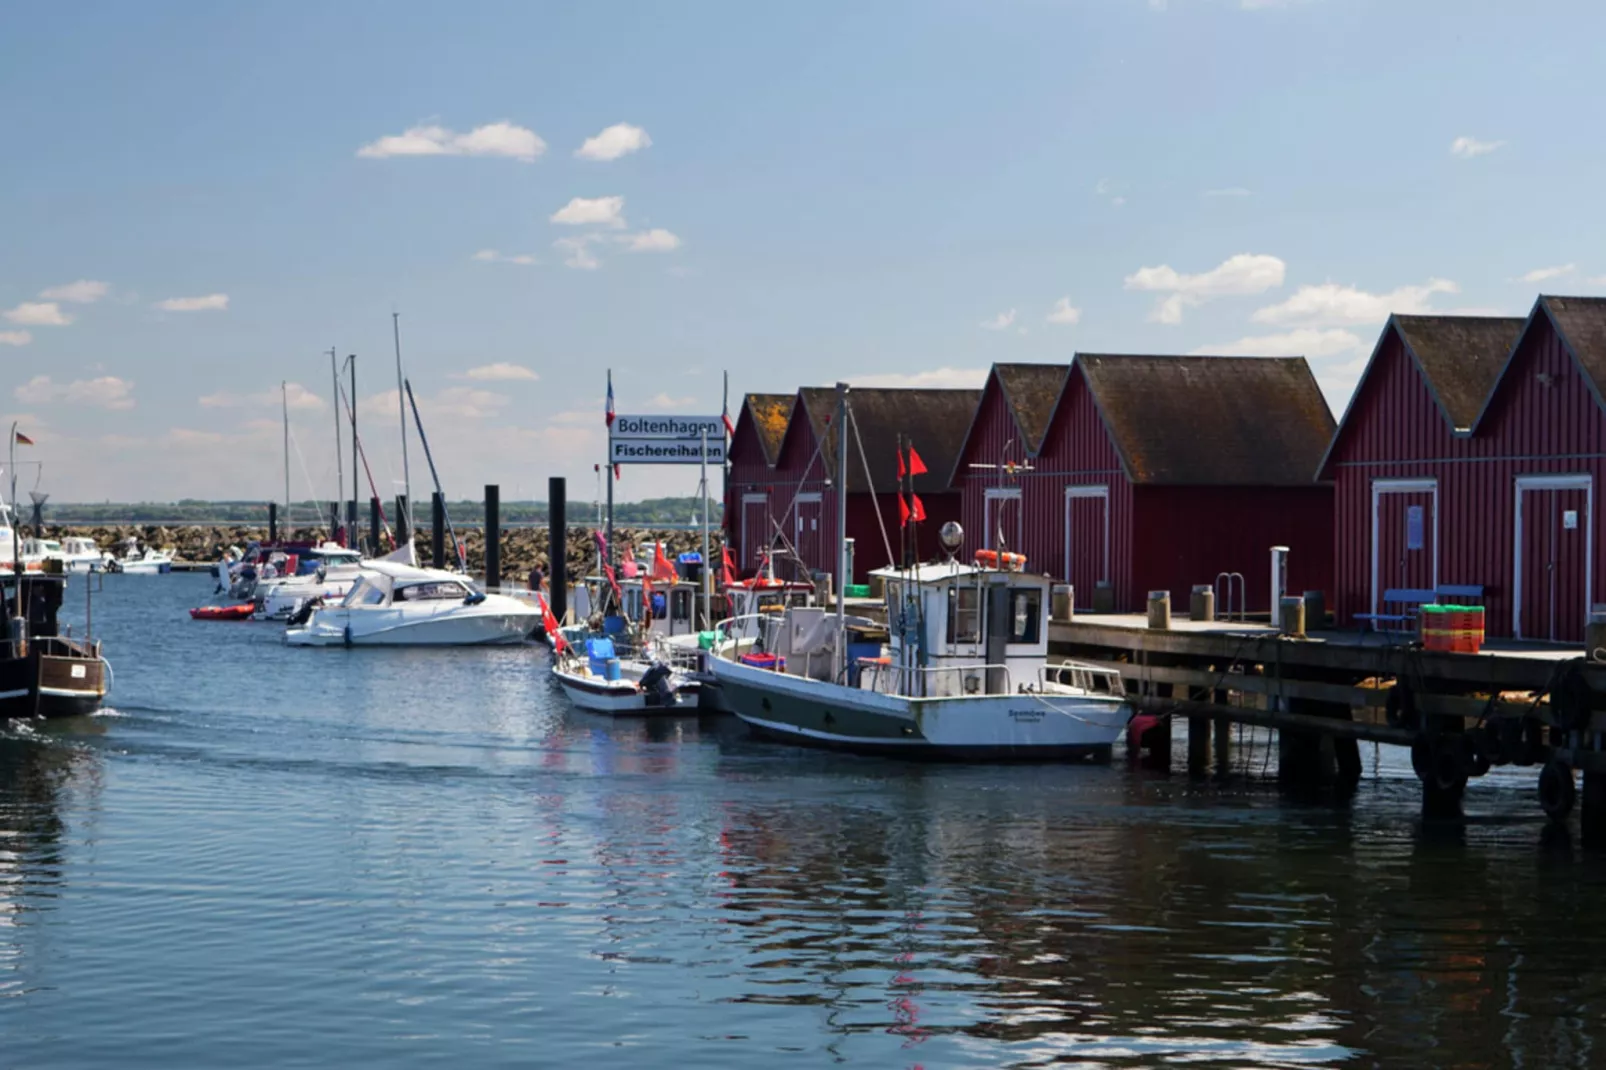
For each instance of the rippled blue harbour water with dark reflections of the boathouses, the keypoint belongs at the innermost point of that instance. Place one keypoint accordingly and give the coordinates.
(277, 857)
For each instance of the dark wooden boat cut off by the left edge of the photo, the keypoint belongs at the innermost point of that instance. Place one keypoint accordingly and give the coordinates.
(46, 674)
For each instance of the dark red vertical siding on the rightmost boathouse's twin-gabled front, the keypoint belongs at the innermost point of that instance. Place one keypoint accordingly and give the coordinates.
(1543, 422)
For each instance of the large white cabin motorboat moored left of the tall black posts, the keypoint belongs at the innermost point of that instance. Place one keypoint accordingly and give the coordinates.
(396, 605)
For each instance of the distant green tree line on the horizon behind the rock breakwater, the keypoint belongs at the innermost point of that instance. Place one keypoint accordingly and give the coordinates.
(650, 513)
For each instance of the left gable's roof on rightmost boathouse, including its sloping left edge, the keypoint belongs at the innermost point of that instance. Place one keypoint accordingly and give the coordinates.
(1459, 359)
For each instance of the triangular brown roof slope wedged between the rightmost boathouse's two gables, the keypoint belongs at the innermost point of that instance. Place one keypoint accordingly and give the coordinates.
(1461, 357)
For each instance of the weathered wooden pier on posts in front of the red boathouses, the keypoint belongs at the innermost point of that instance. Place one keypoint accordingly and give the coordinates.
(1327, 692)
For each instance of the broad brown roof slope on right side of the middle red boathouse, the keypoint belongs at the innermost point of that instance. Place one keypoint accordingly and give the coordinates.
(1250, 422)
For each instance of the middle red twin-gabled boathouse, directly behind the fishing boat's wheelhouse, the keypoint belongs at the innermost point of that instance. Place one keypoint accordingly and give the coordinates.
(1152, 473)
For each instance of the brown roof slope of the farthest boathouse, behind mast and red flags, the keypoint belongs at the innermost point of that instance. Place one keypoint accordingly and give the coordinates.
(937, 423)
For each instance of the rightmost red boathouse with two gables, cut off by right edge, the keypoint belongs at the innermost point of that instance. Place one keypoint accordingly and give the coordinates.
(1470, 457)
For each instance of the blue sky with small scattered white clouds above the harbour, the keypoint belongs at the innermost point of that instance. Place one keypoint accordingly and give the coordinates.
(200, 202)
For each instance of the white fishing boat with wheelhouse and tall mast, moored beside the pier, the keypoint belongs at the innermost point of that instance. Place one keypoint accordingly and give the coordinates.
(961, 671)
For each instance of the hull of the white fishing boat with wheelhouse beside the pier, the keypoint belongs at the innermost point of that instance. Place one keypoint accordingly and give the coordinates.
(993, 729)
